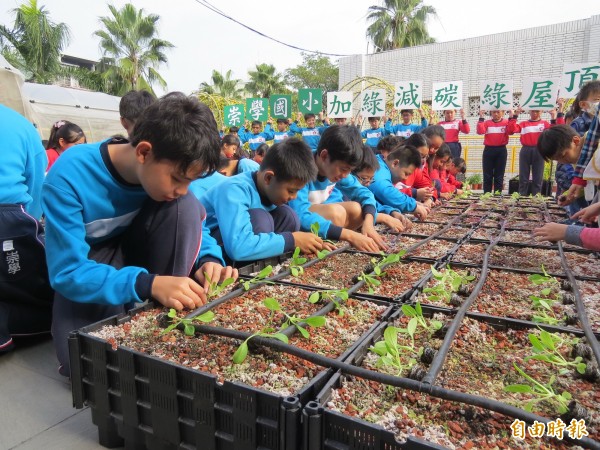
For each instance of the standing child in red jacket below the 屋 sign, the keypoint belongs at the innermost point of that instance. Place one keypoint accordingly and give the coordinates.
(530, 160)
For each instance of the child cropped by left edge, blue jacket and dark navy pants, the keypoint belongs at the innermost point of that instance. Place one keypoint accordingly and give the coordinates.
(25, 293)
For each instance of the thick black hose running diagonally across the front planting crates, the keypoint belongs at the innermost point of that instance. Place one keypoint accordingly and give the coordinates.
(404, 383)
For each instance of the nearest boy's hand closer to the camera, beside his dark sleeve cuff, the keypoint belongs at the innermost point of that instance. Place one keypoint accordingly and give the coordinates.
(178, 292)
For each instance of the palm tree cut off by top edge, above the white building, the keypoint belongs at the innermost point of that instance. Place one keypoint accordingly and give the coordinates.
(399, 23)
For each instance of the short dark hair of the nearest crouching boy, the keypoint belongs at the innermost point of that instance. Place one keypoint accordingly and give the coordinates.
(182, 130)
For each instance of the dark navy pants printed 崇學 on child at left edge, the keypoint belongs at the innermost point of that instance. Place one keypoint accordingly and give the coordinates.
(25, 292)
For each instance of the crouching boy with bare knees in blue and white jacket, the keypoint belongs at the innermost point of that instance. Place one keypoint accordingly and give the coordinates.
(339, 151)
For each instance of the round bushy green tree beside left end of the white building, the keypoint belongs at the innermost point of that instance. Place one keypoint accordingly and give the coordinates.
(315, 72)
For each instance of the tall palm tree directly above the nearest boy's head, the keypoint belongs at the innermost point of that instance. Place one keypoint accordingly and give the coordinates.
(132, 50)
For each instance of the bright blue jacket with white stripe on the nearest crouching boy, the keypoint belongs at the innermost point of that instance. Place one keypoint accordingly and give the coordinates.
(85, 203)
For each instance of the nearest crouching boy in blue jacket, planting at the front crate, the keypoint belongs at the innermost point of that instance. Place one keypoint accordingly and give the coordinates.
(120, 225)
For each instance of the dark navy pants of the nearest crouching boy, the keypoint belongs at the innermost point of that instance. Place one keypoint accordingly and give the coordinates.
(164, 238)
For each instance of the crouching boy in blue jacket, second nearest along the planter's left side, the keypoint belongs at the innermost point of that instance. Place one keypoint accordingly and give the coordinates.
(248, 213)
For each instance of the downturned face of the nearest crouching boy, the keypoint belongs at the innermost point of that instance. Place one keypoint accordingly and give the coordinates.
(163, 180)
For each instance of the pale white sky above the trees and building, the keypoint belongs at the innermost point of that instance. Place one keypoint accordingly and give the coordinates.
(205, 41)
